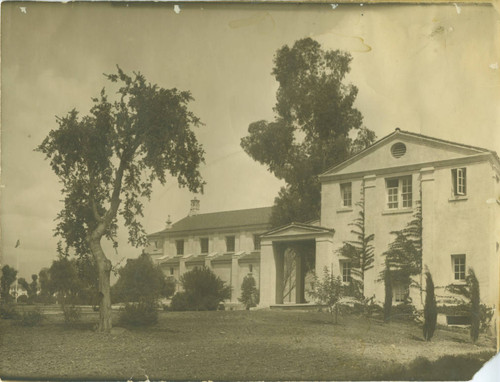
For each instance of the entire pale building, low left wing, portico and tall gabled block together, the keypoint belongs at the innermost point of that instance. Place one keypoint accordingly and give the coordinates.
(455, 185)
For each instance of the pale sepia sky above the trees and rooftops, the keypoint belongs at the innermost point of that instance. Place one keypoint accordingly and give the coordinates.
(427, 69)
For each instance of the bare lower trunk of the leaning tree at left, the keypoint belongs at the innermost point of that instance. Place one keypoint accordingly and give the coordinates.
(104, 272)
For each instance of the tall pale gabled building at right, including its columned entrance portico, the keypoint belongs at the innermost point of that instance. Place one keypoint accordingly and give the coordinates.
(457, 187)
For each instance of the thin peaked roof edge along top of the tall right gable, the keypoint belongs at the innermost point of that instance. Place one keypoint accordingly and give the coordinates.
(399, 132)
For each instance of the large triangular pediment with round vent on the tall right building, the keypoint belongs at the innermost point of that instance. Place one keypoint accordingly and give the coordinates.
(403, 148)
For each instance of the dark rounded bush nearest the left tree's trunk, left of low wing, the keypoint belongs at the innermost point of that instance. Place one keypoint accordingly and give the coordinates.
(141, 280)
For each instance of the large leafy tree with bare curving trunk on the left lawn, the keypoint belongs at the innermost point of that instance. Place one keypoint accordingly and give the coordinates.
(107, 162)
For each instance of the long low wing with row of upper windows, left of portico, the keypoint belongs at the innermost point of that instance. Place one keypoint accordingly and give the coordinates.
(227, 242)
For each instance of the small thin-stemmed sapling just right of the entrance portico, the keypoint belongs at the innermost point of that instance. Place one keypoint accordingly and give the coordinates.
(328, 291)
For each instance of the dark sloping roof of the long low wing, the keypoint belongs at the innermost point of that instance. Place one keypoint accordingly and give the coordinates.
(224, 219)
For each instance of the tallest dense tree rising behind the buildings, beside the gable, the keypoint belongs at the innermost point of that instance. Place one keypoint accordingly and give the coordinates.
(311, 131)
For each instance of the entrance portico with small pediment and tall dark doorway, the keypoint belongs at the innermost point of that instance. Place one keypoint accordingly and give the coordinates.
(289, 257)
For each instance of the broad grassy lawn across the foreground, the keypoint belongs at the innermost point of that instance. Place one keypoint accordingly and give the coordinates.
(237, 345)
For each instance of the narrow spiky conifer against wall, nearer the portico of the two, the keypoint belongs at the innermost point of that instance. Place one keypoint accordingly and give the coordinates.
(360, 251)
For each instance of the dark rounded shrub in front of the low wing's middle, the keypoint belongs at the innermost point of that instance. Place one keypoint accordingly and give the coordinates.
(203, 290)
